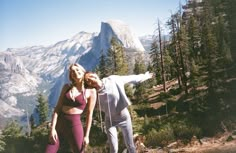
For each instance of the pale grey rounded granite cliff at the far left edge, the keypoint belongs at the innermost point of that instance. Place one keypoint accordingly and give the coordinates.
(15, 79)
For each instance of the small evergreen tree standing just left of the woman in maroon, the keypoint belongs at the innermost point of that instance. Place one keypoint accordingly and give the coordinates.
(42, 108)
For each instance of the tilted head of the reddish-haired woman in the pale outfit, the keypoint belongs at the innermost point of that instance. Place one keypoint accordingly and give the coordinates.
(91, 80)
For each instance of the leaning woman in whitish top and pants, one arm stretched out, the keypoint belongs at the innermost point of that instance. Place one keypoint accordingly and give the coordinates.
(114, 101)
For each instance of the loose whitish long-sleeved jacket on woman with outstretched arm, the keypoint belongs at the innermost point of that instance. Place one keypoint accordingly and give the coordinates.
(112, 97)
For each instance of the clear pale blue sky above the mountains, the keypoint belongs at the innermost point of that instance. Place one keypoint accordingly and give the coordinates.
(44, 22)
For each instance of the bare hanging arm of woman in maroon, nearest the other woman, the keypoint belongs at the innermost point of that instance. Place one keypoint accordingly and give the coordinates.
(91, 101)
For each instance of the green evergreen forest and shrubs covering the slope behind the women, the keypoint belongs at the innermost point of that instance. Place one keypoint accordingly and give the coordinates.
(191, 96)
